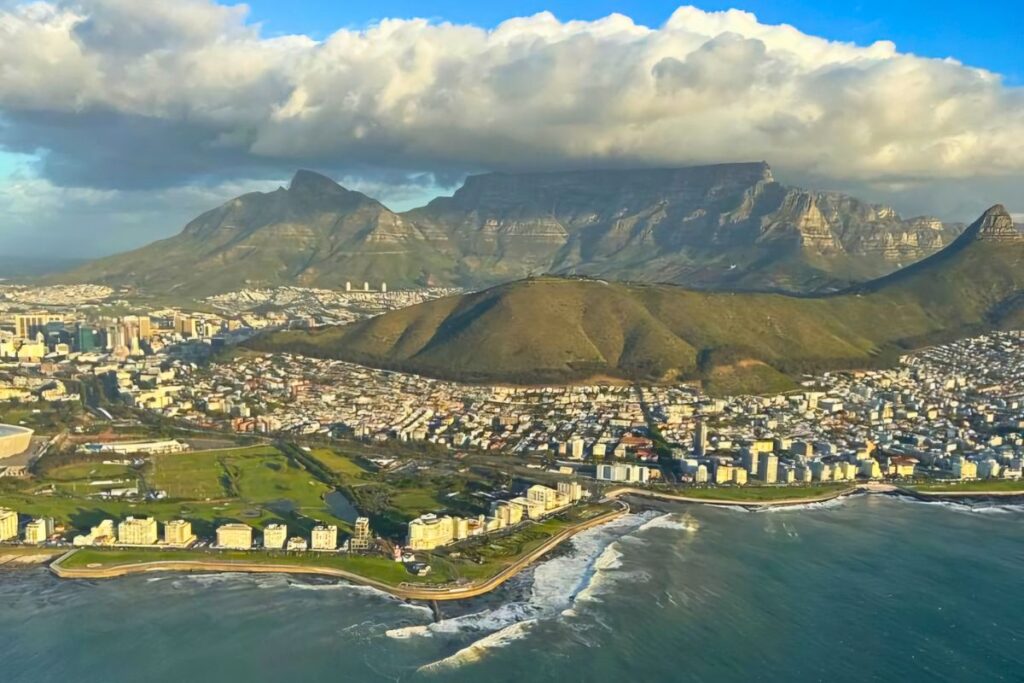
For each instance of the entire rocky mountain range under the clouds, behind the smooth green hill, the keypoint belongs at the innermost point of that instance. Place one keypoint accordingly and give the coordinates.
(723, 227)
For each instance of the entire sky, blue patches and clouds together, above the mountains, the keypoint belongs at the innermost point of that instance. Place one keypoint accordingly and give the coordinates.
(120, 120)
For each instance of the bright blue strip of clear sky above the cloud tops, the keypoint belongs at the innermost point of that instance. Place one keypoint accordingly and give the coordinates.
(989, 34)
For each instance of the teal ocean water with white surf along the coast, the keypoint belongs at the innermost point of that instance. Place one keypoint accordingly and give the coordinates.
(867, 589)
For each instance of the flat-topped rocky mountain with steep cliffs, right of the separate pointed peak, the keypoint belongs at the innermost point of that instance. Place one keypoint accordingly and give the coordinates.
(732, 226)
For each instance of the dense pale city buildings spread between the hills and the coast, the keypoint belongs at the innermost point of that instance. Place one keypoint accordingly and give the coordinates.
(954, 412)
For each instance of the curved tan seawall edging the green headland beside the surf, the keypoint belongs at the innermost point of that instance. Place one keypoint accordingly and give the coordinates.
(428, 594)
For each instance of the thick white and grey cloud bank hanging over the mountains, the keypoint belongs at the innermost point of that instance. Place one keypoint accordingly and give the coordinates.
(123, 100)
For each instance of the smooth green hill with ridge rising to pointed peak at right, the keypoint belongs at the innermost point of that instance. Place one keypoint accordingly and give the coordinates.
(552, 329)
